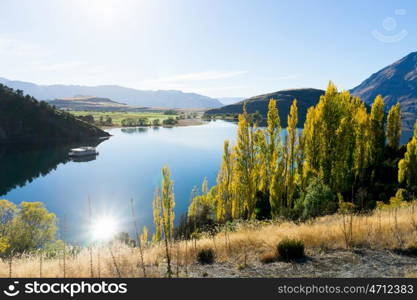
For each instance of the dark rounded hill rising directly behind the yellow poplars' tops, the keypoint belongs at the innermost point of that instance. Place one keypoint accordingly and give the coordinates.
(305, 99)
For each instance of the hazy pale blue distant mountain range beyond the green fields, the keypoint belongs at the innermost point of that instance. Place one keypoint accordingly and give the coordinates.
(160, 98)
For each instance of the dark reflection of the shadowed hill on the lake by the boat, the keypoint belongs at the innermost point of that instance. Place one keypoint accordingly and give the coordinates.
(21, 164)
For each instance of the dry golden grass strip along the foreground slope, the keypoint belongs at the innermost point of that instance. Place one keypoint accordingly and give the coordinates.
(389, 229)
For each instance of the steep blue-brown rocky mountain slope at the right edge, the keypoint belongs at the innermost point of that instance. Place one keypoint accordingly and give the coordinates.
(396, 82)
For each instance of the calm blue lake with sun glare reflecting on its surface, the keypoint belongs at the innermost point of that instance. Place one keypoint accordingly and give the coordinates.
(128, 167)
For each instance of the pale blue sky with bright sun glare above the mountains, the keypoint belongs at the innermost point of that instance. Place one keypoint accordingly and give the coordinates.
(218, 48)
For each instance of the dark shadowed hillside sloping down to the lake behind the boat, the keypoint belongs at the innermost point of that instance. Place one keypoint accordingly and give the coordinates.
(24, 119)
